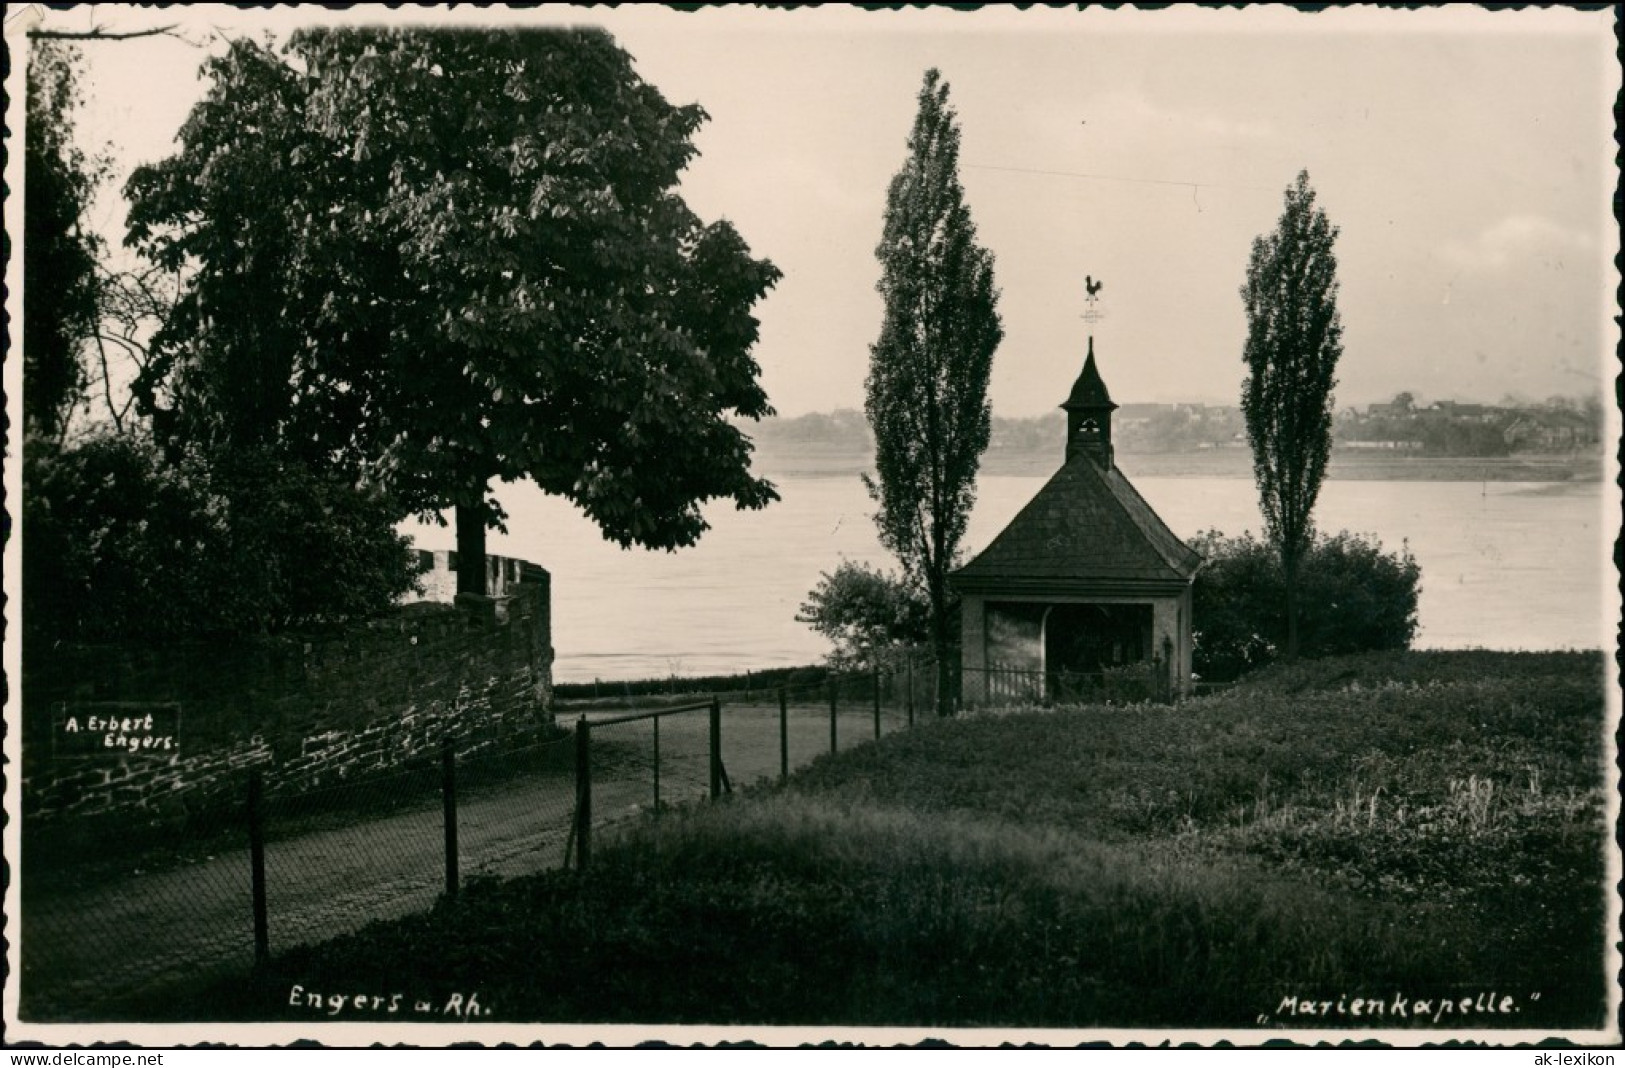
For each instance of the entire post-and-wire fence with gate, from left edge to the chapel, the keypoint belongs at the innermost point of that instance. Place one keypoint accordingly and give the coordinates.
(118, 908)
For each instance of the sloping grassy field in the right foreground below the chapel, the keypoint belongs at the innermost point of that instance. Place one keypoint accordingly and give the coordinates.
(1397, 841)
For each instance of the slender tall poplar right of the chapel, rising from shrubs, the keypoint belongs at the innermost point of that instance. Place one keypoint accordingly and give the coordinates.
(1294, 341)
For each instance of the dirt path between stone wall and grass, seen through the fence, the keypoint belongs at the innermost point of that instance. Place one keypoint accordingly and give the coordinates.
(84, 949)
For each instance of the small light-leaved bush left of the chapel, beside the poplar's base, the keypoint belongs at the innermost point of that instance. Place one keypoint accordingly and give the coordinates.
(867, 614)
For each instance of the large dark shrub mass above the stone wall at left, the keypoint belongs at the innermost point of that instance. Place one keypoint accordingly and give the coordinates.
(123, 545)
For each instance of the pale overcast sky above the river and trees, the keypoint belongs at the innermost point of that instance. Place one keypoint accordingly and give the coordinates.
(1467, 158)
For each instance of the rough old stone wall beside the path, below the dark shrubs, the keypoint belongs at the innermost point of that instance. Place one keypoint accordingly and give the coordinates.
(310, 711)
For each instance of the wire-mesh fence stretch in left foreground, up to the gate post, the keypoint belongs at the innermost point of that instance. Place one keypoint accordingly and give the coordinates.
(217, 892)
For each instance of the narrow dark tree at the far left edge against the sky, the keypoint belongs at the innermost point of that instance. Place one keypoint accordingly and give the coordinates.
(59, 251)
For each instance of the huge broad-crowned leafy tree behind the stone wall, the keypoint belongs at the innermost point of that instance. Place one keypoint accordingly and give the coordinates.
(446, 258)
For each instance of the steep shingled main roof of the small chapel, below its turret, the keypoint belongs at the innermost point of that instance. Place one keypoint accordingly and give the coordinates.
(1088, 523)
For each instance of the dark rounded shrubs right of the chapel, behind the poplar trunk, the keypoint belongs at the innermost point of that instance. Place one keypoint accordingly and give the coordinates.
(1353, 597)
